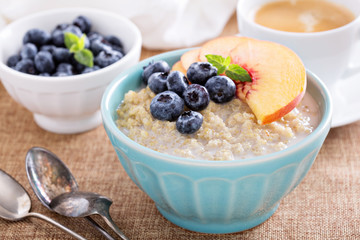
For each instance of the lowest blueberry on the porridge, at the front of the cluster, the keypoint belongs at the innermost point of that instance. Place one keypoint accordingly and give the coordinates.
(189, 122)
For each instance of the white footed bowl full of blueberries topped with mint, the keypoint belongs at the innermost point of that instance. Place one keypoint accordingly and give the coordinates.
(57, 63)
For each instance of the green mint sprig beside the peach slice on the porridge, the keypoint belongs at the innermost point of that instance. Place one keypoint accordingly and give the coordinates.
(233, 71)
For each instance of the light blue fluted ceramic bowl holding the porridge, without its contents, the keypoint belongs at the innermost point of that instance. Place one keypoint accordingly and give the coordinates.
(213, 196)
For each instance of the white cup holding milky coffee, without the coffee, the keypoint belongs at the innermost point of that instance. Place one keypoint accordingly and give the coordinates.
(327, 53)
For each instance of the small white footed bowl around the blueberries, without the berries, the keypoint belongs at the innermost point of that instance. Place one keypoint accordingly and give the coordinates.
(66, 104)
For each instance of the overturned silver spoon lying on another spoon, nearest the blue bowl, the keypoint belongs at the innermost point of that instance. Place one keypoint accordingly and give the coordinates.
(82, 204)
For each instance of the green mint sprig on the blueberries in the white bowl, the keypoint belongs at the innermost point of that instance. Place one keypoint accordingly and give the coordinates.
(76, 45)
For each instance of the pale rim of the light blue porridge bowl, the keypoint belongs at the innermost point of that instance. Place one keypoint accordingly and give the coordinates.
(108, 122)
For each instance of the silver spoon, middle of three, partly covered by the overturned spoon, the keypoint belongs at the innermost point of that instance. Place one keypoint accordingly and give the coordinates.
(49, 177)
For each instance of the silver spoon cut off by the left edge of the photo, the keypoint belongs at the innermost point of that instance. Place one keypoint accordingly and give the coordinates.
(15, 203)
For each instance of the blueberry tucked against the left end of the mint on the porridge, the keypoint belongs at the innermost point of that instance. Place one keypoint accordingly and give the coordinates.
(200, 72)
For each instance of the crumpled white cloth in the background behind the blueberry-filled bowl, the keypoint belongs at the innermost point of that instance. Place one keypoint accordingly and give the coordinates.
(164, 24)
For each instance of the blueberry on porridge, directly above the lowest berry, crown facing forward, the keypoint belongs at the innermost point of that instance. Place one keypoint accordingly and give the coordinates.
(196, 97)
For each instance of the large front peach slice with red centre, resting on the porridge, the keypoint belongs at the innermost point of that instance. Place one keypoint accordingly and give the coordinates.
(278, 78)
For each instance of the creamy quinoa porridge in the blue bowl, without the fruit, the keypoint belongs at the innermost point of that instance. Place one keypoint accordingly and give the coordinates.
(229, 131)
